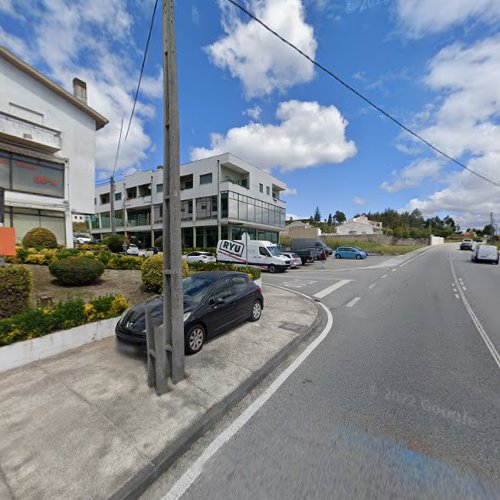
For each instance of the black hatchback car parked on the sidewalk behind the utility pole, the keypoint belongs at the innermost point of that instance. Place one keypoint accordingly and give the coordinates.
(213, 302)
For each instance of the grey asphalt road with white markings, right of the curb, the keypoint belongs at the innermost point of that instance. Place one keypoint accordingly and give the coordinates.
(400, 400)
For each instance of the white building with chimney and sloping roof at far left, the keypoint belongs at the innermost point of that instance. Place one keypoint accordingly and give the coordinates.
(47, 150)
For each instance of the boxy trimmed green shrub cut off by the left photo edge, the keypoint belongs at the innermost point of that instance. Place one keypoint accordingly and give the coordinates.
(16, 283)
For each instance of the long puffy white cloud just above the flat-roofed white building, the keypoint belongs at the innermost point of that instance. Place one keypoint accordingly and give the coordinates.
(308, 135)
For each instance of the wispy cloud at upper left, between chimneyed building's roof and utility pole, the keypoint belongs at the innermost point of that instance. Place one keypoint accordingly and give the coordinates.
(76, 38)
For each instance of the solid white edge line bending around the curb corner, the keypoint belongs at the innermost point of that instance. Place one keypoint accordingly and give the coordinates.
(190, 476)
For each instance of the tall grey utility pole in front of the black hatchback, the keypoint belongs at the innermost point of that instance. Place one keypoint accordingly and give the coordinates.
(173, 308)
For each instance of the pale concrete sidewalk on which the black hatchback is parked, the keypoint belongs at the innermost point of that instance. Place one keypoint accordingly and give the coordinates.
(85, 425)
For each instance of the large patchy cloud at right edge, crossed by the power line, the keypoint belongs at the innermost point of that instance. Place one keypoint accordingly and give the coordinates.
(464, 123)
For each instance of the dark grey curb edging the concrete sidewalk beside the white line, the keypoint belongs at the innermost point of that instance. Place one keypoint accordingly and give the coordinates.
(140, 482)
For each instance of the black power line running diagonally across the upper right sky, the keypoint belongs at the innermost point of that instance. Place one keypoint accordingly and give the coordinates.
(361, 96)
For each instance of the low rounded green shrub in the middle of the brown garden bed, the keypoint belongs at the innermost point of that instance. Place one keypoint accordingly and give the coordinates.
(76, 271)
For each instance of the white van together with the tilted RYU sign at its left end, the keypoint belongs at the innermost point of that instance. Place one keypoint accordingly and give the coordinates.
(261, 254)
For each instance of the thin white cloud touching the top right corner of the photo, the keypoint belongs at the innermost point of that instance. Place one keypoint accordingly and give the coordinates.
(419, 17)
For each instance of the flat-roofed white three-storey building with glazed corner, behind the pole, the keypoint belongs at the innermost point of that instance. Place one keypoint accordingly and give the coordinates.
(248, 197)
